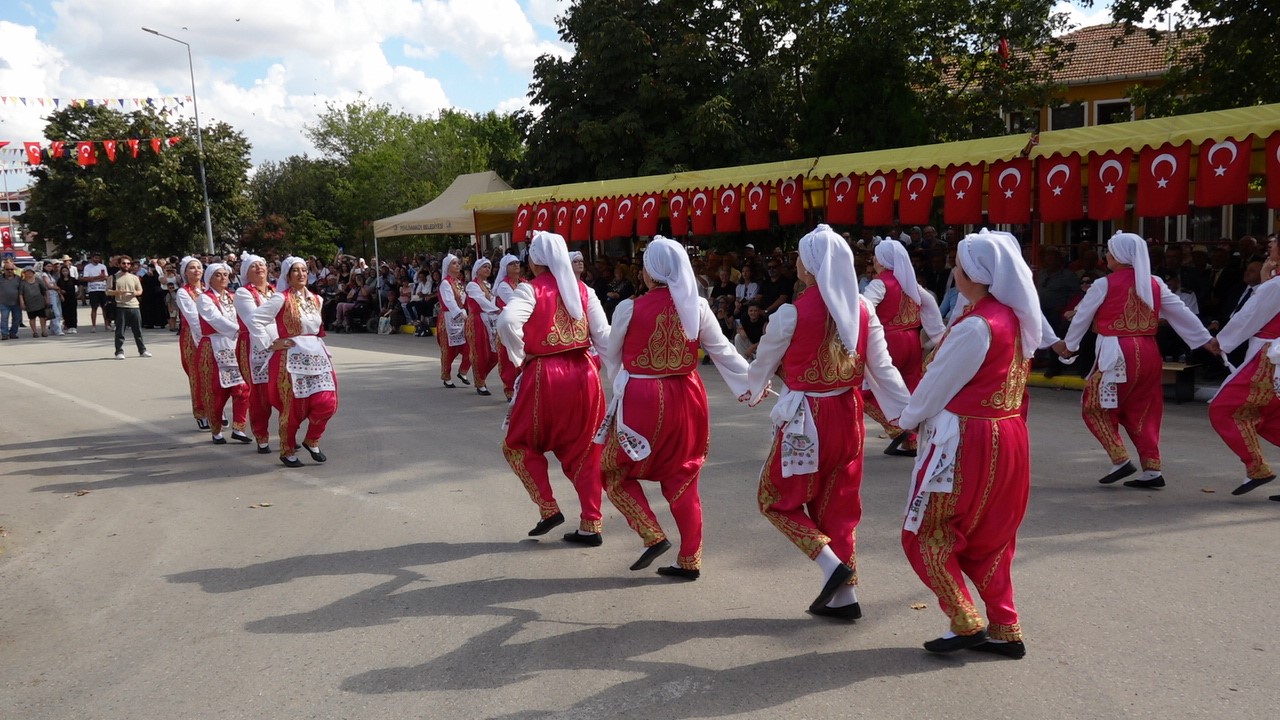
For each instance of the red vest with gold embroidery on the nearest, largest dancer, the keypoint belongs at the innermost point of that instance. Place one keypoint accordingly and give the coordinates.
(996, 390)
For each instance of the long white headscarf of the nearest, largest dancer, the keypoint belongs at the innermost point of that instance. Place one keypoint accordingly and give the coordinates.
(998, 263)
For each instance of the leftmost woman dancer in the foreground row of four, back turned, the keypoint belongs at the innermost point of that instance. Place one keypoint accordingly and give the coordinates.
(560, 403)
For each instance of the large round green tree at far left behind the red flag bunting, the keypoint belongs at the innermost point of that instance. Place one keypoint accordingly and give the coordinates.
(145, 206)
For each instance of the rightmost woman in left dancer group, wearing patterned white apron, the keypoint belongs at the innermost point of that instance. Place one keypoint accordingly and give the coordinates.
(304, 385)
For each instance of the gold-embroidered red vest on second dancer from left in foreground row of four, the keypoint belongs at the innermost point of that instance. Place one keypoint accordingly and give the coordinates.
(656, 343)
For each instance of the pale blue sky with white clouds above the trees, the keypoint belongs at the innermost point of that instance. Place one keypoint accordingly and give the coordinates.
(269, 67)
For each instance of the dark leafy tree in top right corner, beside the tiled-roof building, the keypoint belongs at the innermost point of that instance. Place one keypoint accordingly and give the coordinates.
(1222, 53)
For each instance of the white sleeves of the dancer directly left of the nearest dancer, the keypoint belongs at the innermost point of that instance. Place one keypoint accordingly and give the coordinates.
(883, 377)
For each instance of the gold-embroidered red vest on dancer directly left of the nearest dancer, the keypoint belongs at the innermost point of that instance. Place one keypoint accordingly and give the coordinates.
(816, 361)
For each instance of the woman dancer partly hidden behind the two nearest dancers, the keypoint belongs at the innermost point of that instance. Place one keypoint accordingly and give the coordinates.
(903, 309)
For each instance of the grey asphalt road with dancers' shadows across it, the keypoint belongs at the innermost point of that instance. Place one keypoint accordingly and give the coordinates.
(149, 575)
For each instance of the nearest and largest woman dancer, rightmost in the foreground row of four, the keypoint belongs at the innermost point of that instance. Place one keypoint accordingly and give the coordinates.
(972, 479)
